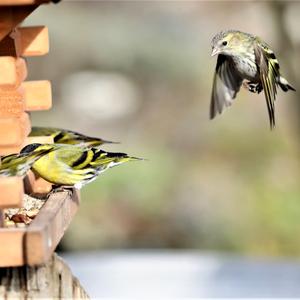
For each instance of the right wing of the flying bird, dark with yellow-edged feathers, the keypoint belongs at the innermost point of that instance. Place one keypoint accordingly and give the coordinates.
(269, 72)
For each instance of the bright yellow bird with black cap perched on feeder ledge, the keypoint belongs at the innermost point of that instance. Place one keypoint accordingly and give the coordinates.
(72, 165)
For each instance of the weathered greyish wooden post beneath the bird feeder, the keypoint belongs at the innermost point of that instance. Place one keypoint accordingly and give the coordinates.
(53, 280)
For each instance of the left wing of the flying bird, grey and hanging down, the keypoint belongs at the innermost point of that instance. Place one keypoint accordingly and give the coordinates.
(227, 83)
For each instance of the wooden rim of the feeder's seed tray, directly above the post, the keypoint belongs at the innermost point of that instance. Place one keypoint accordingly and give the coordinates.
(33, 245)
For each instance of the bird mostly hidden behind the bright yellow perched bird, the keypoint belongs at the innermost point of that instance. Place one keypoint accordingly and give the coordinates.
(62, 136)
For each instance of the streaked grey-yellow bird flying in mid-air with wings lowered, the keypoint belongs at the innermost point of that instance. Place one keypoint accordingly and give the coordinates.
(244, 59)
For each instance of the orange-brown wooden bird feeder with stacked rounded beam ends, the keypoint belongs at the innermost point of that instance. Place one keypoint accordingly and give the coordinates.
(31, 245)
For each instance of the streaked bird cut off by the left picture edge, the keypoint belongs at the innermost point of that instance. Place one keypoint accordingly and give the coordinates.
(19, 164)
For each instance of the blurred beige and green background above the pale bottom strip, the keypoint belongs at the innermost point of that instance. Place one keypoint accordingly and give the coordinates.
(141, 73)
